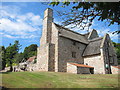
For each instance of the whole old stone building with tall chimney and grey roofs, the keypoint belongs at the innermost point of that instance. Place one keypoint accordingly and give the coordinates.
(63, 50)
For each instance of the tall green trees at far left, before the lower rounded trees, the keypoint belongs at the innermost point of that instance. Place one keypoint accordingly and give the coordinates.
(8, 54)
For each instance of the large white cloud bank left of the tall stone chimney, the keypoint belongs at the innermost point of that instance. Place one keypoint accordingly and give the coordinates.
(16, 25)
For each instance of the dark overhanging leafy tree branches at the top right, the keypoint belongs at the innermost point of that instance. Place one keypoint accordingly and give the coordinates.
(82, 14)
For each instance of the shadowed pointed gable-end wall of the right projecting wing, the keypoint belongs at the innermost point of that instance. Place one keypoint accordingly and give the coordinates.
(108, 54)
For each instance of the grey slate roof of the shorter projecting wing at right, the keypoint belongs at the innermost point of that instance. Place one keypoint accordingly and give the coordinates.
(93, 47)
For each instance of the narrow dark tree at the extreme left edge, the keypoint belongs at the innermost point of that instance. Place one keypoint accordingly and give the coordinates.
(3, 60)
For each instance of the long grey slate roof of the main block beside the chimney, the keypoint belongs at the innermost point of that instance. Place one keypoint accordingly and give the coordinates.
(65, 32)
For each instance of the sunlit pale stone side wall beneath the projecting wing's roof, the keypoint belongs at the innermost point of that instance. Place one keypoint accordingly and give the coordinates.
(96, 62)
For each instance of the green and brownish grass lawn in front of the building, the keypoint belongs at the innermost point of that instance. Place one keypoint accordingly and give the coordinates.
(58, 80)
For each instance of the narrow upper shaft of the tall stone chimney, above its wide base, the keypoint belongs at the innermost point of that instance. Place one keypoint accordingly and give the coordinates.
(47, 27)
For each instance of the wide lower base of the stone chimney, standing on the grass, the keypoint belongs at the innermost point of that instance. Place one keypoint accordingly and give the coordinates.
(46, 57)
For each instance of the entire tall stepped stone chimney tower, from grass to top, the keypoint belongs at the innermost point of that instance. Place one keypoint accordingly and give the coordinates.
(45, 59)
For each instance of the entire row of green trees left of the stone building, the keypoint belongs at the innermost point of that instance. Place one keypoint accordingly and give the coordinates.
(11, 55)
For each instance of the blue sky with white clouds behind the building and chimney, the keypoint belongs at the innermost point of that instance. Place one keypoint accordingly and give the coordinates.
(23, 21)
